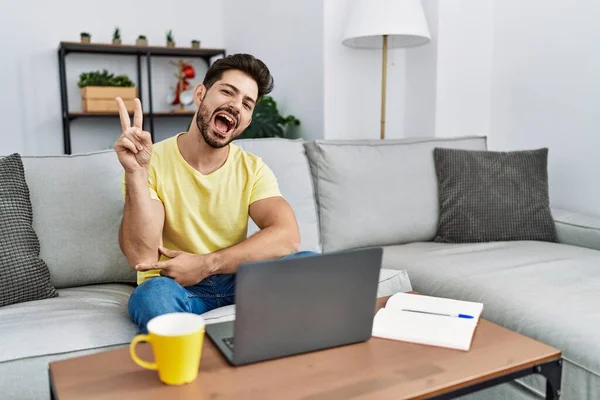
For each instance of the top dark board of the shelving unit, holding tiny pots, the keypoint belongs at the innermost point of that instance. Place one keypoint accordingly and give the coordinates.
(125, 49)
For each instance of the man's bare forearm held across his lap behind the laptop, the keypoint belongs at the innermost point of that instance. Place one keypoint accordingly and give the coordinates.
(269, 243)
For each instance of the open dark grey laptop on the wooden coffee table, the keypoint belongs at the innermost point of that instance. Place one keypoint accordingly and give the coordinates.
(298, 305)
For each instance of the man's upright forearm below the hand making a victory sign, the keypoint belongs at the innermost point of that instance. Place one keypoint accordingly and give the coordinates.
(140, 233)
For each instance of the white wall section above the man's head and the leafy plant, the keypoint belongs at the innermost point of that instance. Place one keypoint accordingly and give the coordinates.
(287, 36)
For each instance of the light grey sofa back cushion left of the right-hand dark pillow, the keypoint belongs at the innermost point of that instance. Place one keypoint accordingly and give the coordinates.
(378, 192)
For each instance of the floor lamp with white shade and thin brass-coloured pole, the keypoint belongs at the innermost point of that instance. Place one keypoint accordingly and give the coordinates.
(383, 24)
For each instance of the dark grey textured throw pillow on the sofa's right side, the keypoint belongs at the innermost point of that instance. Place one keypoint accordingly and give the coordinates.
(488, 196)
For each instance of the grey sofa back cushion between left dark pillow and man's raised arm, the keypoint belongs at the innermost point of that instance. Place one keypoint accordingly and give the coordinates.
(78, 206)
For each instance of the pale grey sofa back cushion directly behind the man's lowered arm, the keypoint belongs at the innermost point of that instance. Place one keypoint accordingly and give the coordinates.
(287, 159)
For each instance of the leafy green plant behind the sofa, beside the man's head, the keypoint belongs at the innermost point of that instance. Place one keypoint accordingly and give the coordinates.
(267, 121)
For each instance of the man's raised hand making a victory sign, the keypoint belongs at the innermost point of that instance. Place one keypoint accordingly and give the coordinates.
(134, 146)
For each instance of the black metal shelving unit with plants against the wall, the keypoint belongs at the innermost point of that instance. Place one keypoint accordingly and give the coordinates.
(138, 51)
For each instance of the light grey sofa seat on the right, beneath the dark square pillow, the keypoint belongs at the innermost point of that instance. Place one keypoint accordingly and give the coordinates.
(544, 290)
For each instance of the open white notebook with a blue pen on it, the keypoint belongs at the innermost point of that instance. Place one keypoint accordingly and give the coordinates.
(394, 322)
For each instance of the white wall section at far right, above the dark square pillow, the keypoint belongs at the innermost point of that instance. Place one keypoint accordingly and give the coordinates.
(545, 86)
